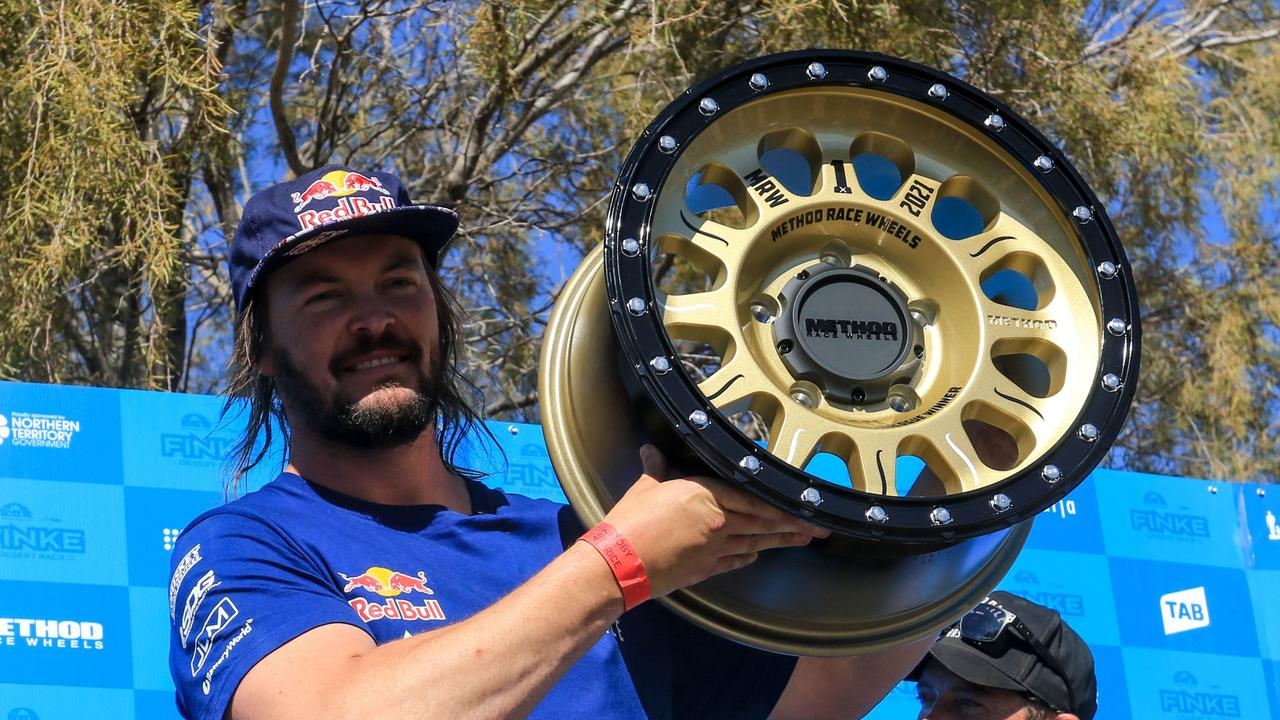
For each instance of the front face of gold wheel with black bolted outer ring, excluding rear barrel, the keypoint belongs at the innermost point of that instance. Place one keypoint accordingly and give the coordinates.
(866, 265)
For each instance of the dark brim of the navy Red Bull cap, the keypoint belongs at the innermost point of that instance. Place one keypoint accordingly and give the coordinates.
(429, 226)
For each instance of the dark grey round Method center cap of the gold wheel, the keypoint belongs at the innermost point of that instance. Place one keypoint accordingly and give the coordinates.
(845, 330)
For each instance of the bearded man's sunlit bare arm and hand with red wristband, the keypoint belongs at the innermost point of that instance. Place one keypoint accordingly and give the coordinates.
(502, 662)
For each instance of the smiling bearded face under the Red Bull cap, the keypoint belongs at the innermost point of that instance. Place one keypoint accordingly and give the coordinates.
(354, 340)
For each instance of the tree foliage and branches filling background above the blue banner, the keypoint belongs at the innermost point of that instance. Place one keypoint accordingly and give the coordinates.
(127, 158)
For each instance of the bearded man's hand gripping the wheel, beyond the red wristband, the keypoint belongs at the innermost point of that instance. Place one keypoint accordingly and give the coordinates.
(688, 530)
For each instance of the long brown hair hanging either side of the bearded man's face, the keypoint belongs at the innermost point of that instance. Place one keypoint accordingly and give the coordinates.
(249, 390)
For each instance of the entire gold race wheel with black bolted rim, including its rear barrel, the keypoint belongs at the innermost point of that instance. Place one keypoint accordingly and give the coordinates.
(767, 309)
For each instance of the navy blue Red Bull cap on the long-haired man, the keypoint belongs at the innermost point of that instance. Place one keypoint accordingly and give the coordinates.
(295, 217)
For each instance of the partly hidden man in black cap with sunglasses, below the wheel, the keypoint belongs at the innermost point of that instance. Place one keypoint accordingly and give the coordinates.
(1008, 659)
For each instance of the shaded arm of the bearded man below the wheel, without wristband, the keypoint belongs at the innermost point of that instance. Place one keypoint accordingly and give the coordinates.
(845, 687)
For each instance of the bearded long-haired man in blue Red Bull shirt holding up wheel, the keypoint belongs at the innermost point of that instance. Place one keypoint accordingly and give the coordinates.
(377, 578)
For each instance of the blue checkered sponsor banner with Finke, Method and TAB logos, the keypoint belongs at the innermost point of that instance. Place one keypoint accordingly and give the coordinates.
(1174, 582)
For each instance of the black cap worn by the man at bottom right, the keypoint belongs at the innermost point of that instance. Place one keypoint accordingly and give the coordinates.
(1011, 663)
